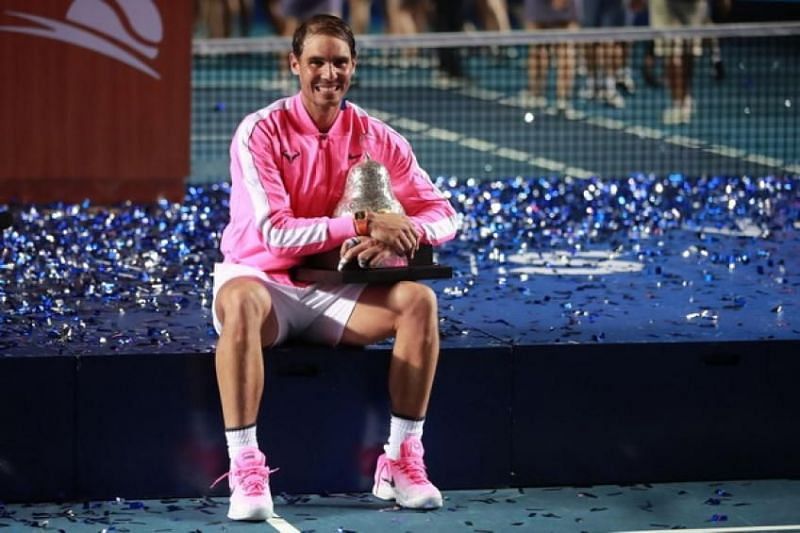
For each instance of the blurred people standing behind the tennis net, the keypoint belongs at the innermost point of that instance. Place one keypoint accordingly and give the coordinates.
(603, 69)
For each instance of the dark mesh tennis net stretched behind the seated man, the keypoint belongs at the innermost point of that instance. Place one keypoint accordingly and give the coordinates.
(490, 105)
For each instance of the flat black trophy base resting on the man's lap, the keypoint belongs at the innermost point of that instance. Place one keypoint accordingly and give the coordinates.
(322, 268)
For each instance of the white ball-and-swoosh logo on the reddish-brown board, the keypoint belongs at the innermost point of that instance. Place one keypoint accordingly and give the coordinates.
(115, 28)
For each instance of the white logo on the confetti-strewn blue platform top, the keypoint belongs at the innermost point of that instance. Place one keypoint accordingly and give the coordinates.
(561, 263)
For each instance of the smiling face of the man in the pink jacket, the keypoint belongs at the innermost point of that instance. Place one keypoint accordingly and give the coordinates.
(325, 68)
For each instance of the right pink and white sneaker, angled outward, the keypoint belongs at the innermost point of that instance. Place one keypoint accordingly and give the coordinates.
(405, 480)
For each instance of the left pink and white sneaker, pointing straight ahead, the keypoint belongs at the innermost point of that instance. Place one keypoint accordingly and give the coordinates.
(249, 483)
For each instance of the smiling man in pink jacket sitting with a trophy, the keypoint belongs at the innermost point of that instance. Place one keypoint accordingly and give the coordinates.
(289, 162)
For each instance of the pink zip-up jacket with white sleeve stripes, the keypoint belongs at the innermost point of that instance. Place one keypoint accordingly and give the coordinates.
(287, 178)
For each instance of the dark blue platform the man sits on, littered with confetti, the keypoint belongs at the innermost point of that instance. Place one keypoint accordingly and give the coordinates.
(583, 341)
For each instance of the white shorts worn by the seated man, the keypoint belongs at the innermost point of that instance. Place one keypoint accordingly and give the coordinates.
(318, 312)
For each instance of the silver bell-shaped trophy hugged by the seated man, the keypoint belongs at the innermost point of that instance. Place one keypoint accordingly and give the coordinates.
(369, 188)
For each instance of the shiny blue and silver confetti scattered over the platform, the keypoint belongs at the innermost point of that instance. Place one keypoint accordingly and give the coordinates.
(66, 269)
